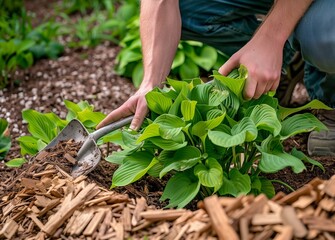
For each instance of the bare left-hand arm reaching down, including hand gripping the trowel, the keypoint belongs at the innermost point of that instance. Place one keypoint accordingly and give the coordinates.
(160, 28)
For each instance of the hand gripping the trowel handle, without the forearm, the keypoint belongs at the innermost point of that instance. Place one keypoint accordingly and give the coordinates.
(136, 105)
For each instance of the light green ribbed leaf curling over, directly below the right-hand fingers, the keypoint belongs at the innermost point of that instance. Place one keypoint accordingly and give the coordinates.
(265, 117)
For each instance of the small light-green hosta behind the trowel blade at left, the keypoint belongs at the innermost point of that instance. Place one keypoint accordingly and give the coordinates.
(44, 127)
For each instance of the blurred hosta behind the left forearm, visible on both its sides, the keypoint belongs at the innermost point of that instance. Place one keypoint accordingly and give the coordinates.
(191, 57)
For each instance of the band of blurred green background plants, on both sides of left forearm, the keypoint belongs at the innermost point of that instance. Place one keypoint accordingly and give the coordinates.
(82, 24)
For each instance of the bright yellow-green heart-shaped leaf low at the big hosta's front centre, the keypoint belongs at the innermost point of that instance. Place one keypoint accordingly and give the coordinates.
(210, 174)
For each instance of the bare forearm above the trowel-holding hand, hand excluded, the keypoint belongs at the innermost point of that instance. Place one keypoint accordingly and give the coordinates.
(160, 28)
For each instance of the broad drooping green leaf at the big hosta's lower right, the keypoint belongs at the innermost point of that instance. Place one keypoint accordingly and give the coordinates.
(275, 161)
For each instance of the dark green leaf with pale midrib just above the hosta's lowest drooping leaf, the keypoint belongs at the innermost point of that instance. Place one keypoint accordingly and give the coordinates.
(184, 158)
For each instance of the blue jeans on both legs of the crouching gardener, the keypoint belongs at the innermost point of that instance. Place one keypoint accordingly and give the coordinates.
(229, 25)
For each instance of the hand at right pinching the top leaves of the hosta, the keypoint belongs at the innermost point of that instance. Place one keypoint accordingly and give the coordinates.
(263, 59)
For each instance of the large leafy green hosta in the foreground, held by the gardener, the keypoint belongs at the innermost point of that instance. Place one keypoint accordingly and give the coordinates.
(208, 140)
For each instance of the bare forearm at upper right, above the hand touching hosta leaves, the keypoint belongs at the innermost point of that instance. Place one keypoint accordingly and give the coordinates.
(282, 19)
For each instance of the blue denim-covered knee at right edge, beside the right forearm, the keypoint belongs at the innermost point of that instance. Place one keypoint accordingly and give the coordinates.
(315, 38)
